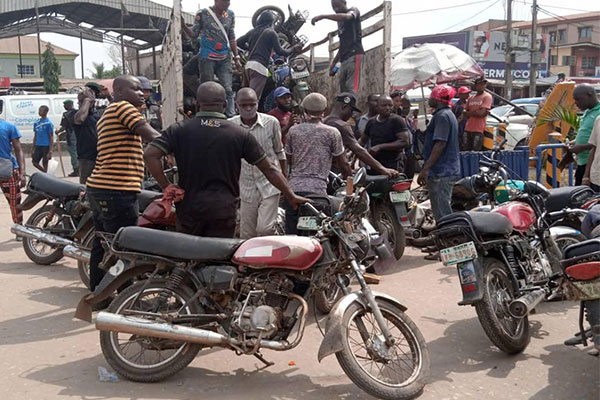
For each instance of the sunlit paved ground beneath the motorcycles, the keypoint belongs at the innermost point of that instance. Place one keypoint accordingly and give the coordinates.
(46, 354)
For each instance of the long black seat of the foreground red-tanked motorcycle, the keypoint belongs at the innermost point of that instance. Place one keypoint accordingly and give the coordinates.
(176, 245)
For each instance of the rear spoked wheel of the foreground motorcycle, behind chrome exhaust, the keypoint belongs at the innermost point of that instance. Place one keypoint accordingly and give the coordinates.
(143, 359)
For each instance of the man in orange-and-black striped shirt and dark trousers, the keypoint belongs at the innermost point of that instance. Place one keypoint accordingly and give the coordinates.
(117, 178)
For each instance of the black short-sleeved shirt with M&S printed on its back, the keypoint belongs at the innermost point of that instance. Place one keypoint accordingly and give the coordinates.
(209, 150)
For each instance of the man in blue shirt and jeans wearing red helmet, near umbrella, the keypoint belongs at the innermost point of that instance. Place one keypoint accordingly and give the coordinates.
(442, 167)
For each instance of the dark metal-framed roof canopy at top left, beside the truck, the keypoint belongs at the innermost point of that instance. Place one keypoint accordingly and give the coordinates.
(97, 20)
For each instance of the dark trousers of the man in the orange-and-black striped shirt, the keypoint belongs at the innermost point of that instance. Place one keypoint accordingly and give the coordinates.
(113, 209)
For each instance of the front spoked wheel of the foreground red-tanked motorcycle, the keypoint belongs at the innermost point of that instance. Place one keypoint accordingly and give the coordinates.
(400, 371)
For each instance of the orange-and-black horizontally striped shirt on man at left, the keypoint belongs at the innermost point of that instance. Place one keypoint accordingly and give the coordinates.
(120, 160)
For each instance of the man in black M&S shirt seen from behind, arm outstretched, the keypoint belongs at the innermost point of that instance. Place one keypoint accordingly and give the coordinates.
(209, 150)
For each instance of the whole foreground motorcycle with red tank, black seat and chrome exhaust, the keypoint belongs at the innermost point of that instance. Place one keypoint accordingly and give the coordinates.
(251, 295)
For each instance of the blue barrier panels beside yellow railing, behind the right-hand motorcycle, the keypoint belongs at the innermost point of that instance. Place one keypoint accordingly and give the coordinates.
(517, 162)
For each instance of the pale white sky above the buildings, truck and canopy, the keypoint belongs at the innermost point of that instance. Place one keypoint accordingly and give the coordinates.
(411, 19)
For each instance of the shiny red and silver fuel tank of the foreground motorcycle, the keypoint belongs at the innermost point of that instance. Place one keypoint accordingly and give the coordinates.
(286, 252)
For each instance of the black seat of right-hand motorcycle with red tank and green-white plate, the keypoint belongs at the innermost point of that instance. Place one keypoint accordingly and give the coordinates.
(484, 223)
